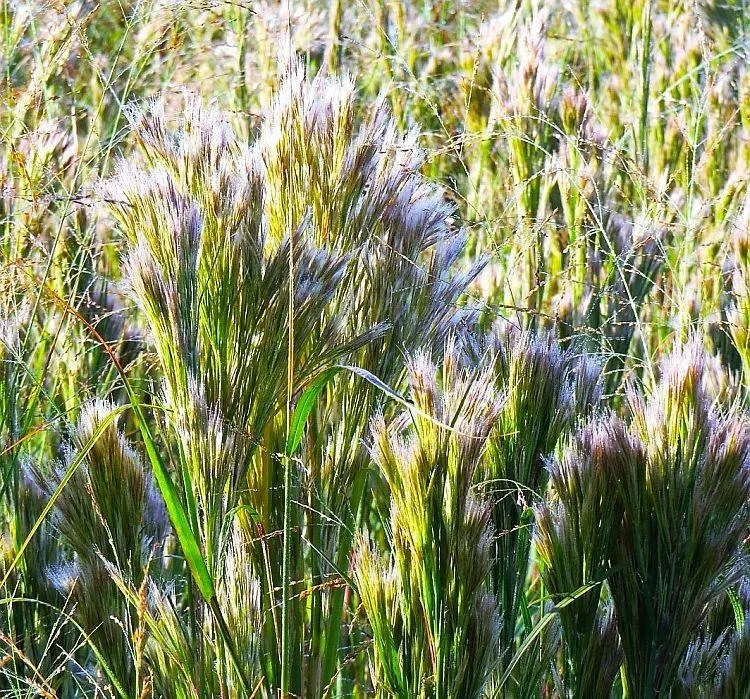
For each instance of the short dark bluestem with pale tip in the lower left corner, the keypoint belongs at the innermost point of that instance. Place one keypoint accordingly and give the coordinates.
(108, 514)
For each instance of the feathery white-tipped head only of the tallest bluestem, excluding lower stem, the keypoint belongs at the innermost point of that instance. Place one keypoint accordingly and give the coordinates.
(359, 188)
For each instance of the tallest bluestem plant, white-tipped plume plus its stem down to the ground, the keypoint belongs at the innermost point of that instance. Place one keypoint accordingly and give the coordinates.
(361, 191)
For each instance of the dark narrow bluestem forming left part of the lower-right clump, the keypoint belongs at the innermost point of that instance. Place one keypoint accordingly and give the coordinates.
(574, 535)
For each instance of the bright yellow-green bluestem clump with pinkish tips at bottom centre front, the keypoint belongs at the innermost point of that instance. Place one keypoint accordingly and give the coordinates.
(435, 628)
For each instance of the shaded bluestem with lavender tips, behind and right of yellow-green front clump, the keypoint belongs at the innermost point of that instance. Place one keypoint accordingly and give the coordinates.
(544, 389)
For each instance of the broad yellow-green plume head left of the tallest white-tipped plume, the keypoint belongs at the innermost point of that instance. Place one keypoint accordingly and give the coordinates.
(211, 285)
